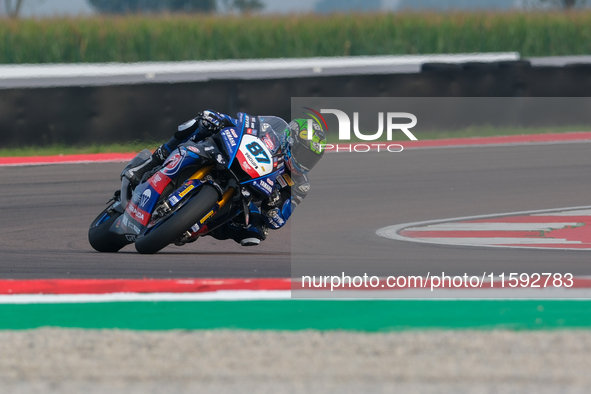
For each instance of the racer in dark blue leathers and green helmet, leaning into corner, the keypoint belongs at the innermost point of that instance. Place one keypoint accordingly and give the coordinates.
(300, 153)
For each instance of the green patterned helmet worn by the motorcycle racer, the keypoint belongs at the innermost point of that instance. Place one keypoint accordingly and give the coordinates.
(304, 153)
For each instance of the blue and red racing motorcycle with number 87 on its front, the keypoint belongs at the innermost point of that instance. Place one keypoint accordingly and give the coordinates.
(198, 188)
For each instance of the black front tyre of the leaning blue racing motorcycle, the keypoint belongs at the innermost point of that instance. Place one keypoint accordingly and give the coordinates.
(179, 222)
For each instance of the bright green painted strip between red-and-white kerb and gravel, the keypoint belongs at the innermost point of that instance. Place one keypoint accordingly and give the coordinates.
(351, 315)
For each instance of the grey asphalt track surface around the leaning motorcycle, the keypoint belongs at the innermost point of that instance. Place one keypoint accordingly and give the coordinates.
(45, 212)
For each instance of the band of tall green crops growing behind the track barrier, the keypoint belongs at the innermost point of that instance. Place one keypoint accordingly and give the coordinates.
(211, 37)
